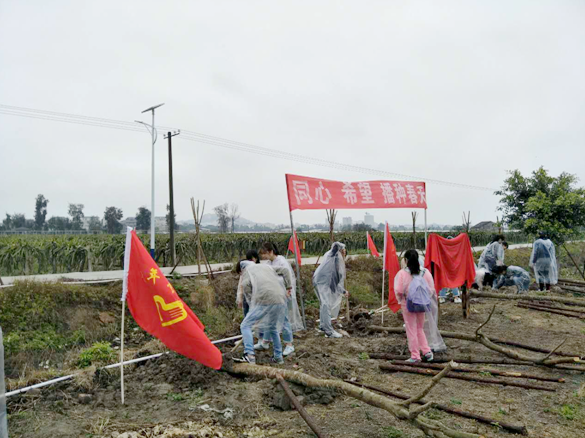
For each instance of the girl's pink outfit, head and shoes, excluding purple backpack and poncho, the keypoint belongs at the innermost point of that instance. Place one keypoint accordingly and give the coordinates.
(414, 322)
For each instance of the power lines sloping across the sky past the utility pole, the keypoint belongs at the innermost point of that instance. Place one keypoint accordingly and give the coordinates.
(216, 141)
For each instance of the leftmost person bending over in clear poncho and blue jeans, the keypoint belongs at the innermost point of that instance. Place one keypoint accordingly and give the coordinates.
(267, 297)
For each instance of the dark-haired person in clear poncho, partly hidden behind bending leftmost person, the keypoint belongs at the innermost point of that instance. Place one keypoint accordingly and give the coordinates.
(292, 321)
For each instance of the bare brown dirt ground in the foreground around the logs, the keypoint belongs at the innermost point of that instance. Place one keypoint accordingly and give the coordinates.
(174, 397)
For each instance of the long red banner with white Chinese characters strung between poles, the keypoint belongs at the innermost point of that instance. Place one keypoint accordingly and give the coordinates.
(306, 193)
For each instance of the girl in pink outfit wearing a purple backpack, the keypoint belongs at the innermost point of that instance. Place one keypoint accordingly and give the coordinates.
(413, 286)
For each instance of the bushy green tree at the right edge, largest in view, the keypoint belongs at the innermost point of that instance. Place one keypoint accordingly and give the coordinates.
(542, 202)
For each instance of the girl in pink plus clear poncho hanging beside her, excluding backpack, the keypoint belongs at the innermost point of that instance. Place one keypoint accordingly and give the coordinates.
(422, 330)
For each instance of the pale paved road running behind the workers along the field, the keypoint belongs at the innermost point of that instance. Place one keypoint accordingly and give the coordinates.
(102, 276)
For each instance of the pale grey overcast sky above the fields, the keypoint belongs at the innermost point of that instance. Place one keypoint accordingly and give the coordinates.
(459, 91)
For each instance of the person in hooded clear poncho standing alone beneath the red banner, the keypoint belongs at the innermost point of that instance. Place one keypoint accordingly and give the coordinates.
(329, 284)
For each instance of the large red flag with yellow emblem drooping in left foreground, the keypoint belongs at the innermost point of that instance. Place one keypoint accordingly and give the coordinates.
(158, 309)
